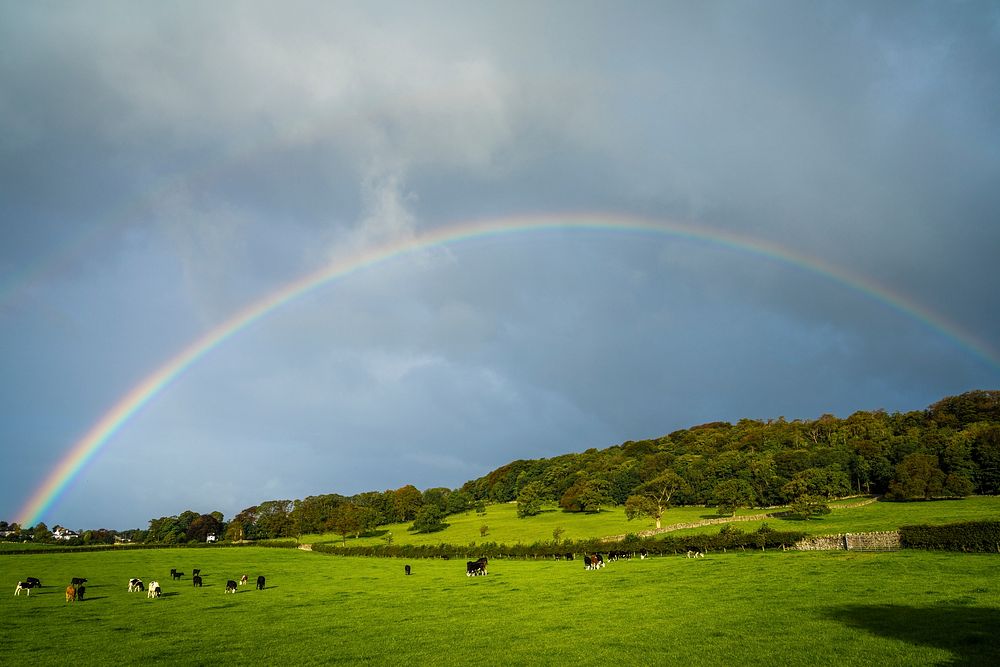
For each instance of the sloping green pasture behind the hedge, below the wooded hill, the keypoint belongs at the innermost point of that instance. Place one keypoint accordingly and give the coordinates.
(506, 528)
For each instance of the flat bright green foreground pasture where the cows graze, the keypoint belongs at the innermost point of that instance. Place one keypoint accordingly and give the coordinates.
(904, 608)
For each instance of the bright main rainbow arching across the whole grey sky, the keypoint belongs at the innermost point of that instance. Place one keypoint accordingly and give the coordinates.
(85, 449)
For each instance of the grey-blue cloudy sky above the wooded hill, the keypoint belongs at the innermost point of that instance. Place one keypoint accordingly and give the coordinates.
(165, 165)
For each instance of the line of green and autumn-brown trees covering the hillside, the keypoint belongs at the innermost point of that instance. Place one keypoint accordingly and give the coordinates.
(951, 449)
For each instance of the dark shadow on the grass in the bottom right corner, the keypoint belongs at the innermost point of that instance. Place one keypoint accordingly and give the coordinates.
(970, 633)
